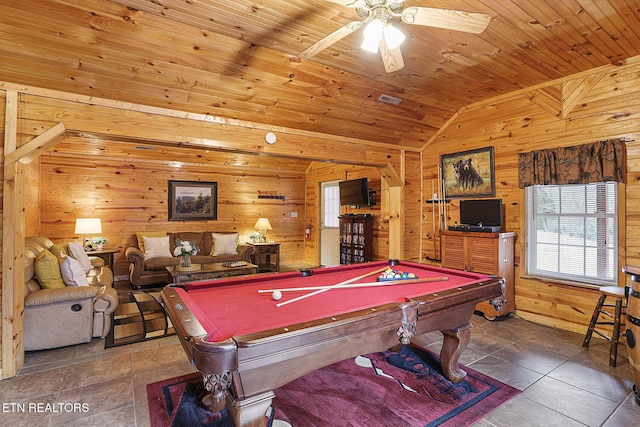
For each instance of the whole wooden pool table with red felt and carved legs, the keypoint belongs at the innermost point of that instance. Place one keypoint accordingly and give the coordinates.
(246, 344)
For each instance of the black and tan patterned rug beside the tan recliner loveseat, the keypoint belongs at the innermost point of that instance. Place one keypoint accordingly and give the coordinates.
(139, 317)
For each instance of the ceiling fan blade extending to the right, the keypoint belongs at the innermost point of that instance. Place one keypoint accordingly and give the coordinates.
(468, 22)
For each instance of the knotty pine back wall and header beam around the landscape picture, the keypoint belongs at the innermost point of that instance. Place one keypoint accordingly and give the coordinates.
(107, 177)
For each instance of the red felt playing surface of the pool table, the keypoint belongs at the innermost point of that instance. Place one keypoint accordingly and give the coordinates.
(233, 307)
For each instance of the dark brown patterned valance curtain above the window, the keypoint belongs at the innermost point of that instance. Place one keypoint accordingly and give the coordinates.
(582, 164)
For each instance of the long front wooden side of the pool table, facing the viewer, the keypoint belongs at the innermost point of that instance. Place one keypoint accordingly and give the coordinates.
(268, 362)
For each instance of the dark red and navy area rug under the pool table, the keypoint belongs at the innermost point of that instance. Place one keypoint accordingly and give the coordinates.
(393, 389)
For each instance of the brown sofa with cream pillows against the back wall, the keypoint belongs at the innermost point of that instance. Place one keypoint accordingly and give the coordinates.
(148, 265)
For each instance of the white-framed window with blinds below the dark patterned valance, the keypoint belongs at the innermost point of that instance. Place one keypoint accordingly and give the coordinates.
(572, 232)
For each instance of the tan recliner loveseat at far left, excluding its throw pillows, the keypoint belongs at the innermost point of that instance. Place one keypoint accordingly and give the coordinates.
(70, 315)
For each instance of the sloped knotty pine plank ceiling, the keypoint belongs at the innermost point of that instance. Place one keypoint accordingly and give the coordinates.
(237, 59)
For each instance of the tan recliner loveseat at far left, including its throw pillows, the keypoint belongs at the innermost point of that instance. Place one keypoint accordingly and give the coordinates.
(58, 314)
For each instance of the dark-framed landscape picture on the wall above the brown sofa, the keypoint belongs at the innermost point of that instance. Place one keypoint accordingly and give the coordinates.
(193, 200)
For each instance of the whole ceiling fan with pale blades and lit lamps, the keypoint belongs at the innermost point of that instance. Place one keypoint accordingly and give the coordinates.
(379, 33)
